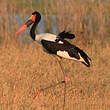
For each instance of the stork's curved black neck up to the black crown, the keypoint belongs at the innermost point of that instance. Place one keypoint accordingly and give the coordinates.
(33, 28)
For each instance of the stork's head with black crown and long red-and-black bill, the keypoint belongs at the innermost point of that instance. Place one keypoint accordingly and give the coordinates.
(35, 18)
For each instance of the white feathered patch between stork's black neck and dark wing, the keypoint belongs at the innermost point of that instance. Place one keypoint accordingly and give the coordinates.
(45, 36)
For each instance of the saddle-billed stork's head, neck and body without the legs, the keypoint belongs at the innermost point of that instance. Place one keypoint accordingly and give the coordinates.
(55, 44)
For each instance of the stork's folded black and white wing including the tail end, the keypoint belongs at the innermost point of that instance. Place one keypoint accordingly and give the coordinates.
(66, 50)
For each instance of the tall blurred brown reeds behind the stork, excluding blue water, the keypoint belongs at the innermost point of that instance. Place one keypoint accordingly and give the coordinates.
(88, 20)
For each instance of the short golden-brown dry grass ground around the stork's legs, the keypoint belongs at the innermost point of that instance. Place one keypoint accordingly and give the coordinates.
(25, 69)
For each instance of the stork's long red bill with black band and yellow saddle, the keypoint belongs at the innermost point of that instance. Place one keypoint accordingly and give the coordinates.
(27, 24)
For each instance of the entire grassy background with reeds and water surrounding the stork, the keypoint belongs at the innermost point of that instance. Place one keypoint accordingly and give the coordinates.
(24, 66)
